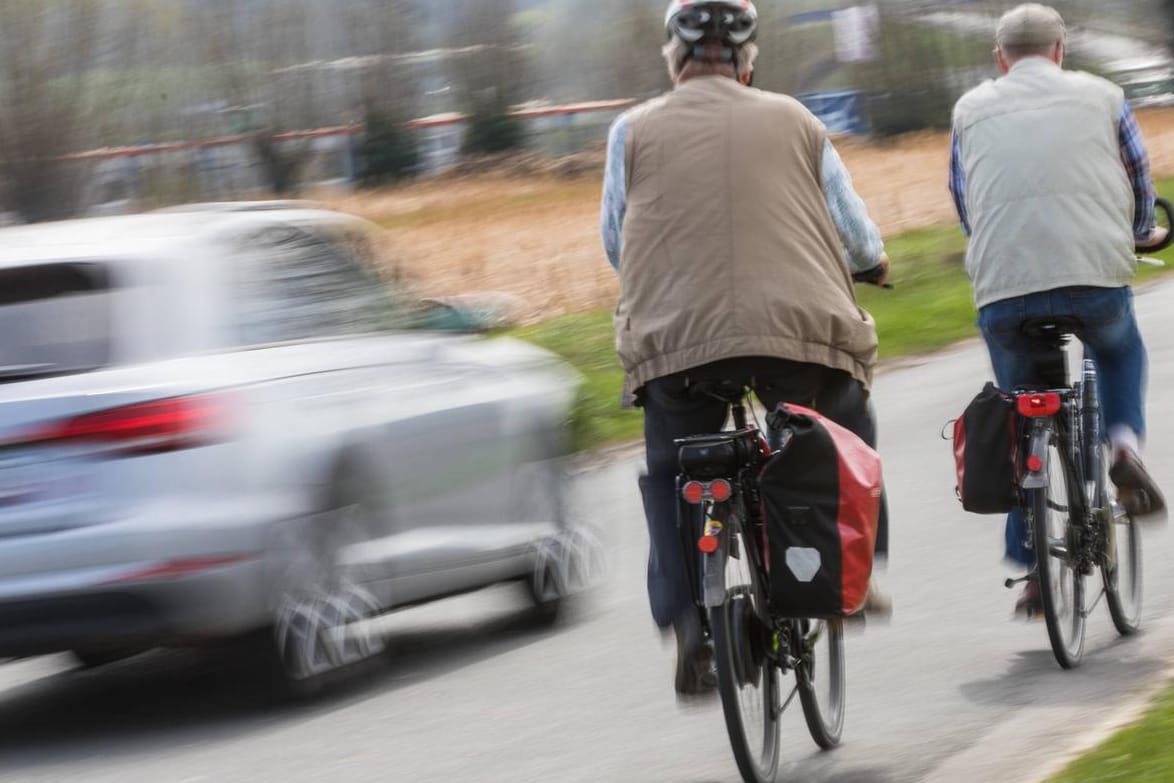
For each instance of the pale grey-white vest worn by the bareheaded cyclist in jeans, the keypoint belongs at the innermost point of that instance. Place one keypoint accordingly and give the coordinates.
(1048, 197)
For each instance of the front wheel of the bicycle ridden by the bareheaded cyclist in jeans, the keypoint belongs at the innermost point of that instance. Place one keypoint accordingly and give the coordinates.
(1122, 564)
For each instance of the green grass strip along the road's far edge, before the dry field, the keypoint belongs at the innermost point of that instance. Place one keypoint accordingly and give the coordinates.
(930, 308)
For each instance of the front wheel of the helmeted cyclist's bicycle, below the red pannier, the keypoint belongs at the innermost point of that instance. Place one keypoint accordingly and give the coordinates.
(825, 714)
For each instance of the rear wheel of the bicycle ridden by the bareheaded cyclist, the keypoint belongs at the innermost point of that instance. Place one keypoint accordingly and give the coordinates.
(1062, 588)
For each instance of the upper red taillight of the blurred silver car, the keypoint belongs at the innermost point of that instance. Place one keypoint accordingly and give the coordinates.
(143, 429)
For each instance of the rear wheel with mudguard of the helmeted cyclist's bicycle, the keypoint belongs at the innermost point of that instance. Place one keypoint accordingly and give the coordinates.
(747, 677)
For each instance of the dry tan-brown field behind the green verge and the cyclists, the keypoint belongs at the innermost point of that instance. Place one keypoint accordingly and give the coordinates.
(538, 237)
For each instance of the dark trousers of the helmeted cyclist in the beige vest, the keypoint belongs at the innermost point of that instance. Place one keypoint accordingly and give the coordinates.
(671, 413)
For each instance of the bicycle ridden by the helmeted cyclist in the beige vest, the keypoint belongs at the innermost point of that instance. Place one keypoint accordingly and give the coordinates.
(724, 543)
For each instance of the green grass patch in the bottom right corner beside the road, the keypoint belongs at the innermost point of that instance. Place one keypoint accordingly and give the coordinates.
(1139, 754)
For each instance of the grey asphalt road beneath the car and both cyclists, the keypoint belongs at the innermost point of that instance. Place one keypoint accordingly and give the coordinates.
(953, 690)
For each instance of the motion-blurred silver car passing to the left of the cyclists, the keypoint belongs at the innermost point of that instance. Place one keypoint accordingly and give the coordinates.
(220, 421)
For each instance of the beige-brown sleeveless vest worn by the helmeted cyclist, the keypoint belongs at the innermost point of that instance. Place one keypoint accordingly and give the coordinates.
(728, 246)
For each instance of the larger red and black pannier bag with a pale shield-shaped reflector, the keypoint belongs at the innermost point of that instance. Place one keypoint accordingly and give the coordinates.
(821, 503)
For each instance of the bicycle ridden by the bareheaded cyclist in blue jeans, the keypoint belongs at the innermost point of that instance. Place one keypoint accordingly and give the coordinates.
(1075, 521)
